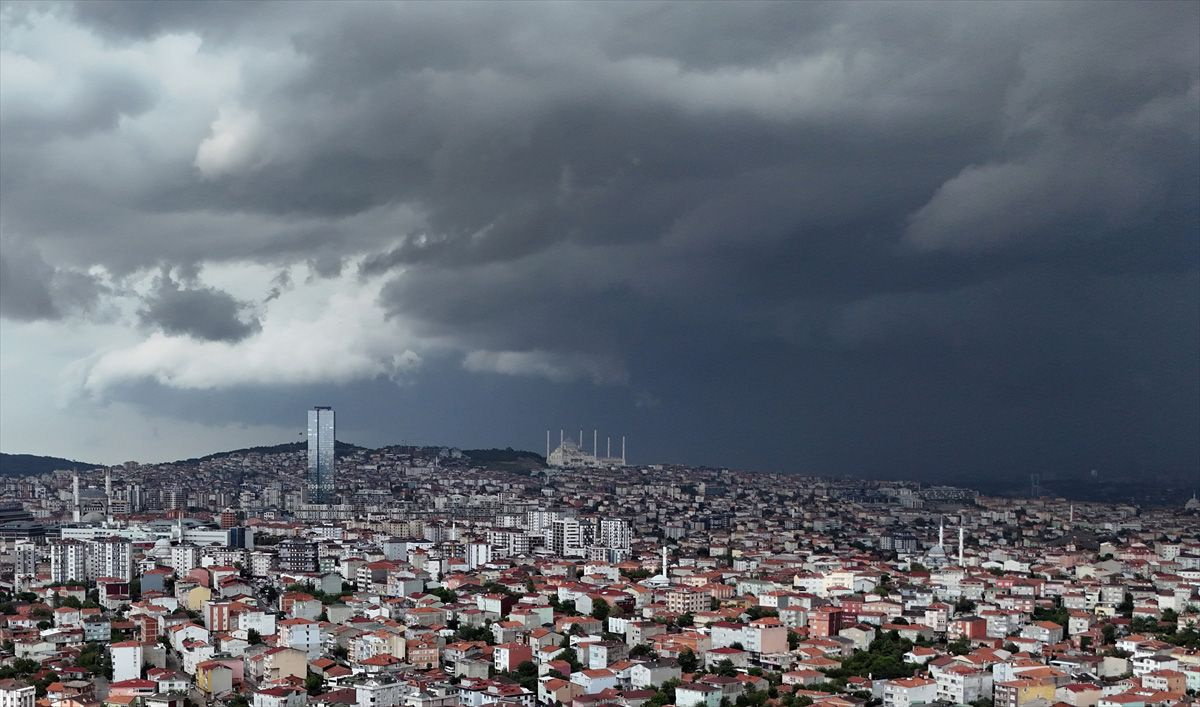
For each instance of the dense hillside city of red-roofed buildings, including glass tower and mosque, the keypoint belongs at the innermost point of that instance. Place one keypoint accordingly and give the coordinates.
(407, 577)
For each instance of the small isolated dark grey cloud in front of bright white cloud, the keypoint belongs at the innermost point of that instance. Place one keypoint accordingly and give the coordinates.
(202, 313)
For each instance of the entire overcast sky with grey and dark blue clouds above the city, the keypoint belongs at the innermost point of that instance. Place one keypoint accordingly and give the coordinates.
(881, 239)
